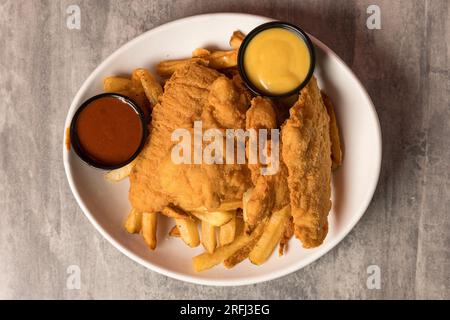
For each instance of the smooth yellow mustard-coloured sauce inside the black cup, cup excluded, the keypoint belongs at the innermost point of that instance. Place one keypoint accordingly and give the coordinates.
(277, 61)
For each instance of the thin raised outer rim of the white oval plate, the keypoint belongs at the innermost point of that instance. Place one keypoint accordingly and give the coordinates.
(325, 248)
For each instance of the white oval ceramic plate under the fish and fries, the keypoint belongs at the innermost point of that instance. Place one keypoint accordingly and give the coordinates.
(106, 205)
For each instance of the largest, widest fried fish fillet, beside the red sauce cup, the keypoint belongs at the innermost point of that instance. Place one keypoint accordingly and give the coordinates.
(194, 92)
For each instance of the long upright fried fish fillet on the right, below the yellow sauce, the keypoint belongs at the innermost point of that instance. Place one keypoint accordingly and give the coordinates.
(306, 151)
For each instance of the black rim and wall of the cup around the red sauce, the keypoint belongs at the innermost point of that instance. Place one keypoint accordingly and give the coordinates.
(75, 142)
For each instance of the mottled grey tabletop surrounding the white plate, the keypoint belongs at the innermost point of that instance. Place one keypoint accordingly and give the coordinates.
(404, 67)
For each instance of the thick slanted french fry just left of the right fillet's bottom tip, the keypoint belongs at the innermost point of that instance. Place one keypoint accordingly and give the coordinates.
(271, 236)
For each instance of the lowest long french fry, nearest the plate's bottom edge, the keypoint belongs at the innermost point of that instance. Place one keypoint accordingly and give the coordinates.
(207, 260)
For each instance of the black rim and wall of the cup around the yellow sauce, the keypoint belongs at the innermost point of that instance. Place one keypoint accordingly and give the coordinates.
(270, 25)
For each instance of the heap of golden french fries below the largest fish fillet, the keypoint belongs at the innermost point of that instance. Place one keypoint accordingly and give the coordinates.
(221, 233)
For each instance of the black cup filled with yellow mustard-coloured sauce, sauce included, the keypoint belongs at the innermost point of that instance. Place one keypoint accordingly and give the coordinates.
(259, 59)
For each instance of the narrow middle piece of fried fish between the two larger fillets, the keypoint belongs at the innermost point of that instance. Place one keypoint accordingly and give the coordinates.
(270, 192)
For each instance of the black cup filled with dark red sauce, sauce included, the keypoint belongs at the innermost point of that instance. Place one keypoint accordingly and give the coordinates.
(108, 131)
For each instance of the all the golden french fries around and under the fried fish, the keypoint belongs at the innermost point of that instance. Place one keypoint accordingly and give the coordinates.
(222, 233)
